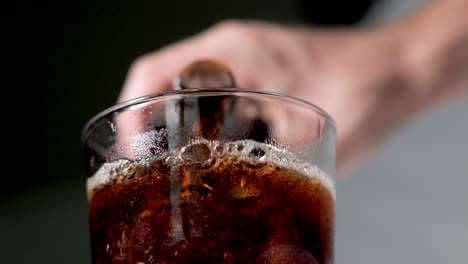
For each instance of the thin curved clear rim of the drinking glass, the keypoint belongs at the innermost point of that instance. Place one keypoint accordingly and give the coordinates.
(147, 98)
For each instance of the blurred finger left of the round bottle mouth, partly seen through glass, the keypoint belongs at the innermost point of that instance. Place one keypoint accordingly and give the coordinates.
(152, 74)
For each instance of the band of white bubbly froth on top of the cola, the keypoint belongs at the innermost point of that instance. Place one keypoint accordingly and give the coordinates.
(245, 150)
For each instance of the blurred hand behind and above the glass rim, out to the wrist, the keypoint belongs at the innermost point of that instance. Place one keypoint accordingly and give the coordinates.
(364, 78)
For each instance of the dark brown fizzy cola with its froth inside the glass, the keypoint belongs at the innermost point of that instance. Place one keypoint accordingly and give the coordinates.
(212, 202)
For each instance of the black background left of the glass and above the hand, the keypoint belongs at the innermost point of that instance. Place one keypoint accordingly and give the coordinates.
(67, 61)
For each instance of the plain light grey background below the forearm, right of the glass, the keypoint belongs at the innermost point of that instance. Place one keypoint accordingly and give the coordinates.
(410, 203)
